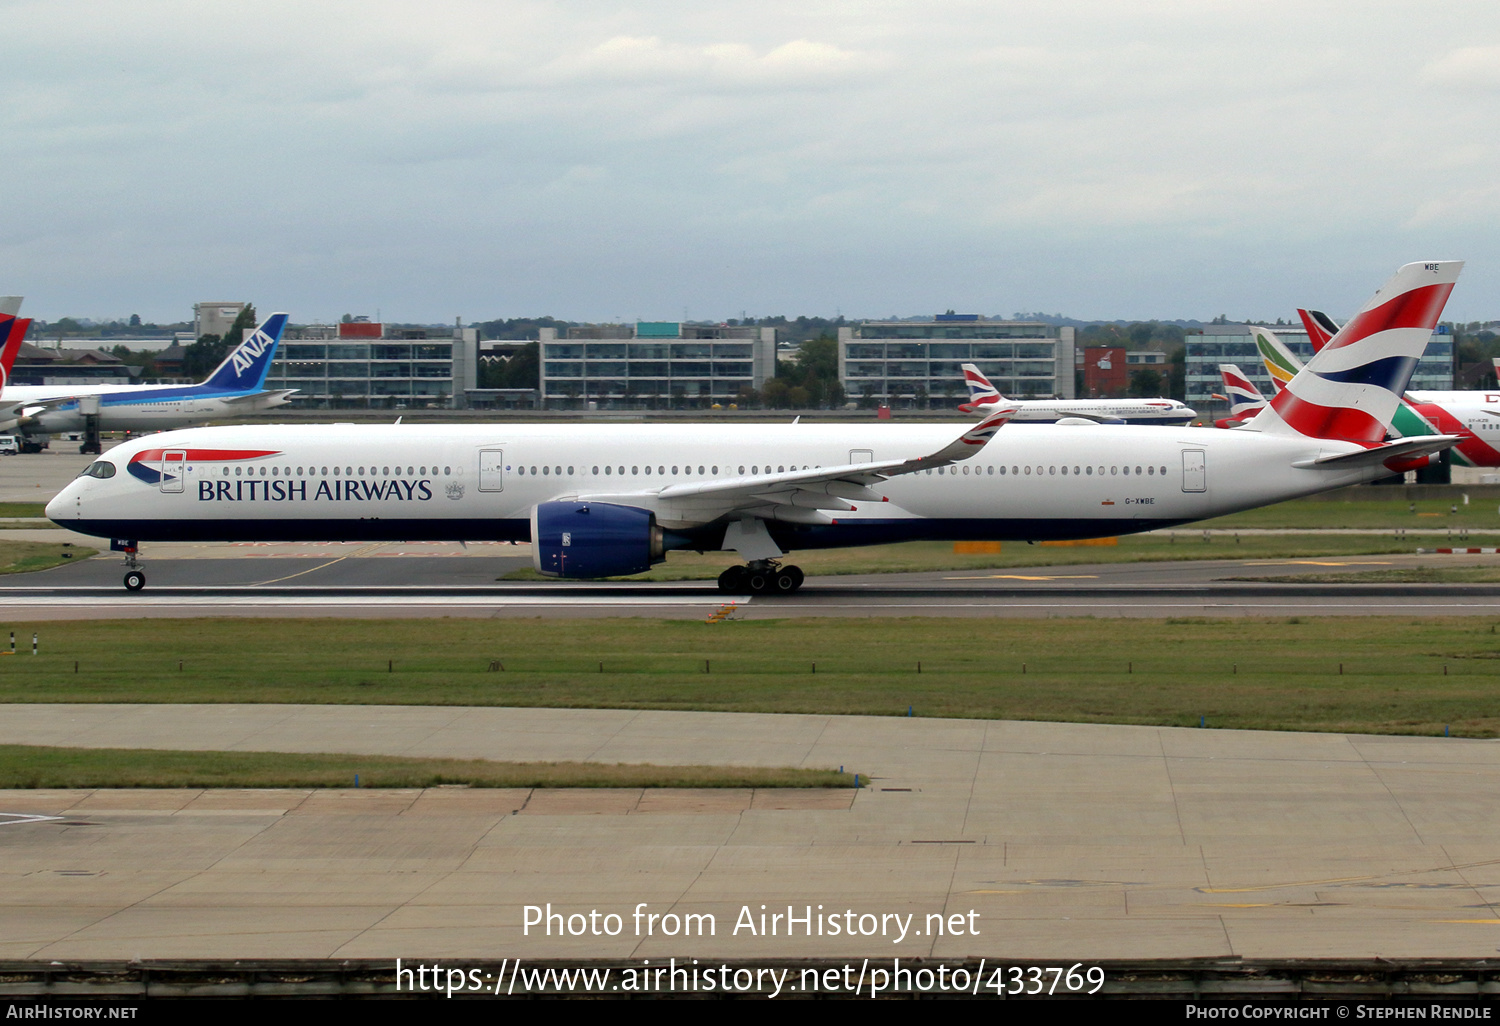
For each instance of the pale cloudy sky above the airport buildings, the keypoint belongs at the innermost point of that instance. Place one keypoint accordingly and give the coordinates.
(601, 161)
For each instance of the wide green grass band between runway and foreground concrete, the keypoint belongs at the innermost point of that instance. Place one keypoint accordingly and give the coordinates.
(1357, 674)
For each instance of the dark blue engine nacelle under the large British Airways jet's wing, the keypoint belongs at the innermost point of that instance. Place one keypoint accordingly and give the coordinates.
(577, 539)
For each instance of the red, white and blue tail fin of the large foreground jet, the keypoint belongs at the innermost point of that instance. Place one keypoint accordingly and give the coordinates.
(1351, 389)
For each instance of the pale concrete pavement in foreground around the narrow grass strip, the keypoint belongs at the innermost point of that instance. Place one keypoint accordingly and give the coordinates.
(1066, 842)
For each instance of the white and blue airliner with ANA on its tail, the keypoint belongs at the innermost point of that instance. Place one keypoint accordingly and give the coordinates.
(233, 391)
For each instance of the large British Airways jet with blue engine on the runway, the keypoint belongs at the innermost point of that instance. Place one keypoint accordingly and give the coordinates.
(613, 500)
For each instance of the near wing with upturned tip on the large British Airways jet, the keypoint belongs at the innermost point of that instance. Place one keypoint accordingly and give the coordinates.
(800, 496)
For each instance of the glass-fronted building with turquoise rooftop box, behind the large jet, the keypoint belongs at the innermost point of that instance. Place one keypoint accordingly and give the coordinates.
(659, 365)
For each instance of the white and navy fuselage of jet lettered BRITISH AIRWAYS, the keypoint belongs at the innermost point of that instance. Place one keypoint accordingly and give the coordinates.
(409, 482)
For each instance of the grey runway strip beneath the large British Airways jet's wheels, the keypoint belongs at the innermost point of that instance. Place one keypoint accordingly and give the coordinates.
(443, 580)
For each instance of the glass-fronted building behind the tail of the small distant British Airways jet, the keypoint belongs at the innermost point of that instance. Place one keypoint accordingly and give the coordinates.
(919, 364)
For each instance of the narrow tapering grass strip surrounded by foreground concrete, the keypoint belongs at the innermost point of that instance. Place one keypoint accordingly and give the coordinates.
(52, 767)
